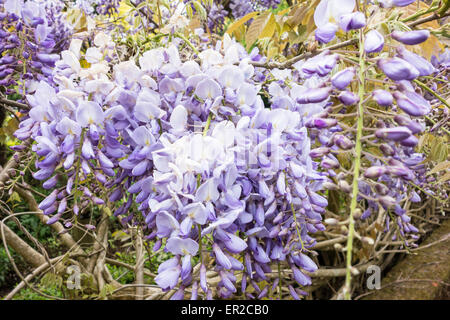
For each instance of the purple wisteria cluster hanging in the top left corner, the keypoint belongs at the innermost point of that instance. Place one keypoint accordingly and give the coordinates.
(31, 36)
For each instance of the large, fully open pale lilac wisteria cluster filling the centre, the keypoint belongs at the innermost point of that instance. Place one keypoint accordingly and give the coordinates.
(206, 161)
